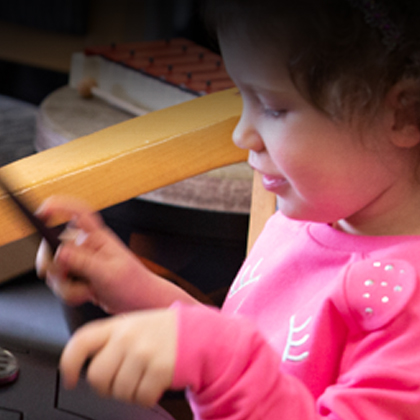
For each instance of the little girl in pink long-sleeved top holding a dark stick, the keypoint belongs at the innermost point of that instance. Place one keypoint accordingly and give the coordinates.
(323, 319)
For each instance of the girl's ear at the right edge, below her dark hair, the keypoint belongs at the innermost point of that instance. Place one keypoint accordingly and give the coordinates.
(403, 102)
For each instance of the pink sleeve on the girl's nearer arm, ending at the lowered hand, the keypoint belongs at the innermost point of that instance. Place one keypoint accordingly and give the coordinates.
(232, 373)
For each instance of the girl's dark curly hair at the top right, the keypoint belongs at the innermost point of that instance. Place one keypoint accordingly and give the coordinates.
(339, 55)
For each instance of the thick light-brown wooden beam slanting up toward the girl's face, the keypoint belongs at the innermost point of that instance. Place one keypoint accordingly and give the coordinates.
(128, 159)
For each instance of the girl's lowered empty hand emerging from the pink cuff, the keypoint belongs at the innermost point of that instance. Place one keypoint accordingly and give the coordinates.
(132, 356)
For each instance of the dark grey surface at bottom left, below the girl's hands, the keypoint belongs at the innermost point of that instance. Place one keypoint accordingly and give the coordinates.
(33, 328)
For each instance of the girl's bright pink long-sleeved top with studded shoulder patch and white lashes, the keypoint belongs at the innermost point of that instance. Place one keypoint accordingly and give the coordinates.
(317, 324)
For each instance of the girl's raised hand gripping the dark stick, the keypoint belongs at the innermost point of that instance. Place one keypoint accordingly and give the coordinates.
(107, 270)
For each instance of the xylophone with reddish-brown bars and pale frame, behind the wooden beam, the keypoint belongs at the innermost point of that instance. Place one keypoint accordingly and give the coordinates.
(151, 74)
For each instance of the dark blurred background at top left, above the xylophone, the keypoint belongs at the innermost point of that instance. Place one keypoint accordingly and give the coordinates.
(38, 37)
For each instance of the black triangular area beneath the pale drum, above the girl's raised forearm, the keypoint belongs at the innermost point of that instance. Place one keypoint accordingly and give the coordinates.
(206, 248)
